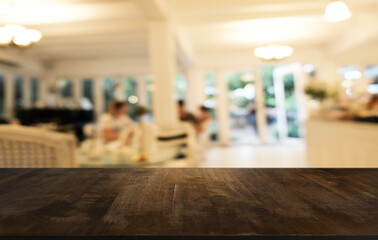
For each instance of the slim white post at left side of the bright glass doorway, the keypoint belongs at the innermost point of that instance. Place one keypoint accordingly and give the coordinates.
(223, 113)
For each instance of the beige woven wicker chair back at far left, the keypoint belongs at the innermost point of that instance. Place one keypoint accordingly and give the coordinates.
(35, 148)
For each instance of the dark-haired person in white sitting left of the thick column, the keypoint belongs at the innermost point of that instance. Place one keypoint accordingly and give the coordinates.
(115, 122)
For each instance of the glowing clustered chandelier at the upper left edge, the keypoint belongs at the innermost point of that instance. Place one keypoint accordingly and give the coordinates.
(18, 35)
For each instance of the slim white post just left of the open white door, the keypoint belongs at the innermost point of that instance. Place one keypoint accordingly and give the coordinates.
(262, 126)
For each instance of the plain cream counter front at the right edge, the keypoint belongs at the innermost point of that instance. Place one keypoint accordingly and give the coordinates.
(341, 144)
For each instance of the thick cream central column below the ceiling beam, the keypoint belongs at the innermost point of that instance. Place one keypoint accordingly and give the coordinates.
(163, 67)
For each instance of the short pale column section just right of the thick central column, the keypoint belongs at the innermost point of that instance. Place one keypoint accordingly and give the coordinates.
(195, 95)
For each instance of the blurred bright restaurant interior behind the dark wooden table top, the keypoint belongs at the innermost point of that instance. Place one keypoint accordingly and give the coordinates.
(188, 83)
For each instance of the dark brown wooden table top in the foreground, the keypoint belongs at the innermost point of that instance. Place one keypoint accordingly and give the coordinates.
(189, 203)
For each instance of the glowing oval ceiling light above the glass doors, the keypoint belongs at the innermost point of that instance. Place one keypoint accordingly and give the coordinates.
(273, 52)
